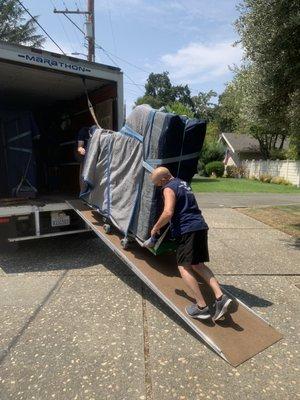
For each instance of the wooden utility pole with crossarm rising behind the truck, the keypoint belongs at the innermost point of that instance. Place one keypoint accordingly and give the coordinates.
(90, 25)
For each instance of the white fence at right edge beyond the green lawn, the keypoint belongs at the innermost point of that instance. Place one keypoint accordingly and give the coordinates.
(287, 169)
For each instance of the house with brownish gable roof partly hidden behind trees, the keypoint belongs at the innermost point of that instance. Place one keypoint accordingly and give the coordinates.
(239, 147)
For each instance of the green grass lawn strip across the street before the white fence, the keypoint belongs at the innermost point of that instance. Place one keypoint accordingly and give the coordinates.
(239, 185)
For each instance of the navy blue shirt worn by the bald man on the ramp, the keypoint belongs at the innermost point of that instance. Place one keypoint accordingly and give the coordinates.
(187, 217)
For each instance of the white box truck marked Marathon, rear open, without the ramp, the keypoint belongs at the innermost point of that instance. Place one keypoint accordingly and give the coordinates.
(43, 105)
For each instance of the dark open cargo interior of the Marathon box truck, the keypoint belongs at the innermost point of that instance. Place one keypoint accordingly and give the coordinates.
(41, 112)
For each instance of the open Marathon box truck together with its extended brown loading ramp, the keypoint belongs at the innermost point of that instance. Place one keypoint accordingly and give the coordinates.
(45, 98)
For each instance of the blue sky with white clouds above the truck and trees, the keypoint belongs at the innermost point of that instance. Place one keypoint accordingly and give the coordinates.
(190, 39)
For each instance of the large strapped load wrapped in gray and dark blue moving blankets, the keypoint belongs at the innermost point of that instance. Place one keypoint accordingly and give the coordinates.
(118, 164)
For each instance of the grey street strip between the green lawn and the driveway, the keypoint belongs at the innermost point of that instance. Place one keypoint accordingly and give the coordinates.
(234, 200)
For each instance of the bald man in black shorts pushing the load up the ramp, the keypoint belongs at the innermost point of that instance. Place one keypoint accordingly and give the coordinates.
(190, 229)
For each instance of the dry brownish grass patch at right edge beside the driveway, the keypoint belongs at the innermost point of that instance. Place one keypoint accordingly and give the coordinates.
(284, 218)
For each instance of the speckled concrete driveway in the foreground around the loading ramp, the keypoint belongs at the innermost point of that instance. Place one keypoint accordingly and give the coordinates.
(76, 324)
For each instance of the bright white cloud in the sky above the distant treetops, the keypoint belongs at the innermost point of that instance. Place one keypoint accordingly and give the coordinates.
(198, 63)
